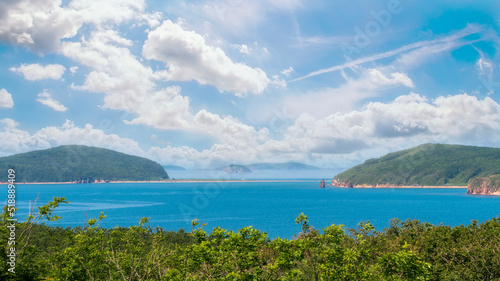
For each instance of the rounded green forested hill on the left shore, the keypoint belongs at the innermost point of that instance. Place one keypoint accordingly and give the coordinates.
(78, 163)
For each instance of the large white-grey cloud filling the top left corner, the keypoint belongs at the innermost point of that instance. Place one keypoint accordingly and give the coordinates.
(41, 25)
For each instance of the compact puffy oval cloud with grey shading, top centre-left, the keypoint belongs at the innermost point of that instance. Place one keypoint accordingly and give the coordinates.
(188, 57)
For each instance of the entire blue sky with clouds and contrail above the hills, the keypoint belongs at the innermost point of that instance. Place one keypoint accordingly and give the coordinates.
(207, 83)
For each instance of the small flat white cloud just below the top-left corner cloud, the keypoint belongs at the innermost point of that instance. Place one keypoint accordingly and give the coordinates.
(34, 72)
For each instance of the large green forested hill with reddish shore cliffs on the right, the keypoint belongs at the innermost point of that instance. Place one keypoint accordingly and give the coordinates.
(427, 164)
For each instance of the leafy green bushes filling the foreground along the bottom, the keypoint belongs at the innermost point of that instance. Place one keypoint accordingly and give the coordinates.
(408, 250)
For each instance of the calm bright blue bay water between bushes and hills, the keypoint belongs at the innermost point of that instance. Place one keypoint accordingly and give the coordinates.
(270, 207)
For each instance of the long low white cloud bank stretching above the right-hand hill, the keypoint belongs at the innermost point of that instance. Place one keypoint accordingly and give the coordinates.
(350, 137)
